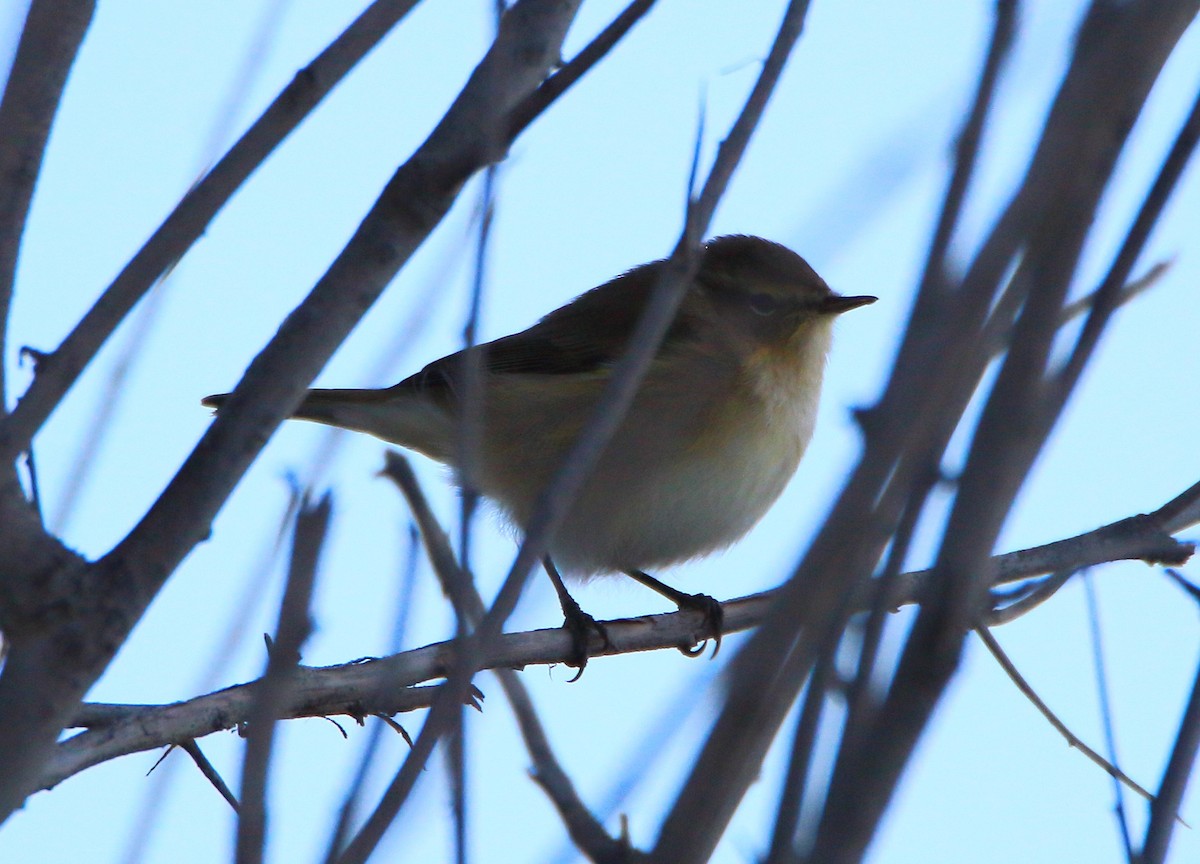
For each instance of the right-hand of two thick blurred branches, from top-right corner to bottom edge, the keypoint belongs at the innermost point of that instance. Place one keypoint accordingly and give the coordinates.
(1084, 135)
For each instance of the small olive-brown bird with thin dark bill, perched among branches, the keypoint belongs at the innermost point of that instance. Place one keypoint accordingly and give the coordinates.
(716, 430)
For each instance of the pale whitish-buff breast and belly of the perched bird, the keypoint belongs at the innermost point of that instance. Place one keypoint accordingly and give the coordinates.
(694, 467)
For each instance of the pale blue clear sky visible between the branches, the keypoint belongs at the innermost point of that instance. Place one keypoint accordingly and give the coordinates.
(848, 169)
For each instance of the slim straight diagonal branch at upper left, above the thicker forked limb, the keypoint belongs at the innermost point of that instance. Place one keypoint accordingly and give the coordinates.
(58, 371)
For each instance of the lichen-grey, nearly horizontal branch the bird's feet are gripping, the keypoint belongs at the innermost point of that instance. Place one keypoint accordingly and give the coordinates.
(393, 685)
